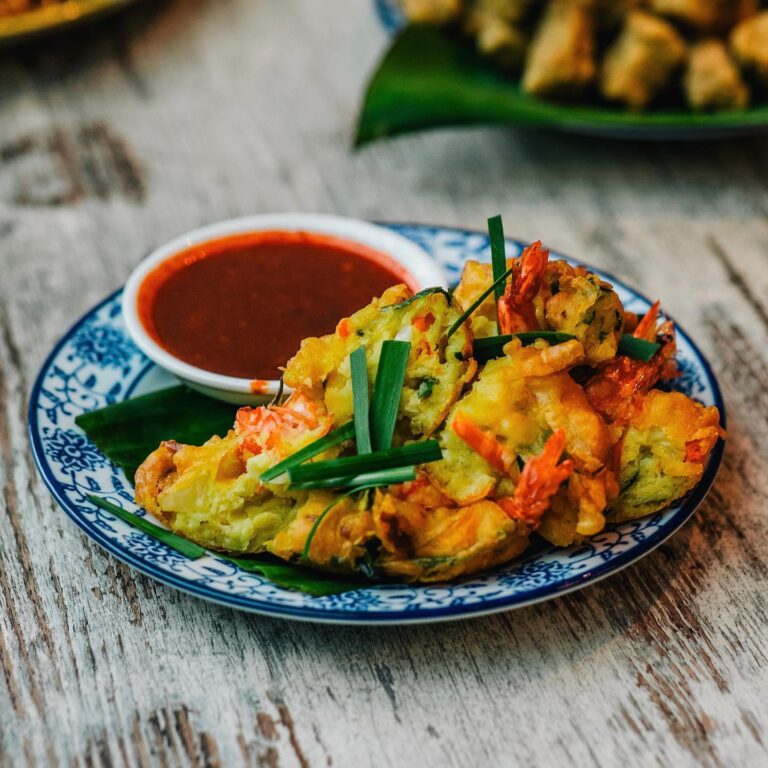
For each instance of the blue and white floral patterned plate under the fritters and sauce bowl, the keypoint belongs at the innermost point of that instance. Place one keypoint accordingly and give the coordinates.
(95, 364)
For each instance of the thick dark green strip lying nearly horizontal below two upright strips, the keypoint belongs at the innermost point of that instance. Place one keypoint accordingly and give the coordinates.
(402, 456)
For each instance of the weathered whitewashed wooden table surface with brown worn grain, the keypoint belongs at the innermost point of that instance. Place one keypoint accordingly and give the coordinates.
(177, 114)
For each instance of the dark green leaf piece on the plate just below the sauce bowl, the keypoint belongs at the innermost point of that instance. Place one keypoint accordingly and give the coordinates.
(128, 432)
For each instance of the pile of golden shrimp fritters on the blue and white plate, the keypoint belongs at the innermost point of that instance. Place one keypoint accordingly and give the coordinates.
(558, 436)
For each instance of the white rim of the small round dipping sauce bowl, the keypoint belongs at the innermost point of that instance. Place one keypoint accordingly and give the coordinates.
(423, 270)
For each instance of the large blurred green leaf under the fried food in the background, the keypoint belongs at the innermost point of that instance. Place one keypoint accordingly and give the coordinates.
(430, 77)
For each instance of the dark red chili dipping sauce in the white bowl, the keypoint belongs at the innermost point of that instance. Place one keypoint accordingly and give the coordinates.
(241, 305)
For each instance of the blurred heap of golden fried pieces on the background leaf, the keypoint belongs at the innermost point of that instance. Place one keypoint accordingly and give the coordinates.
(636, 53)
